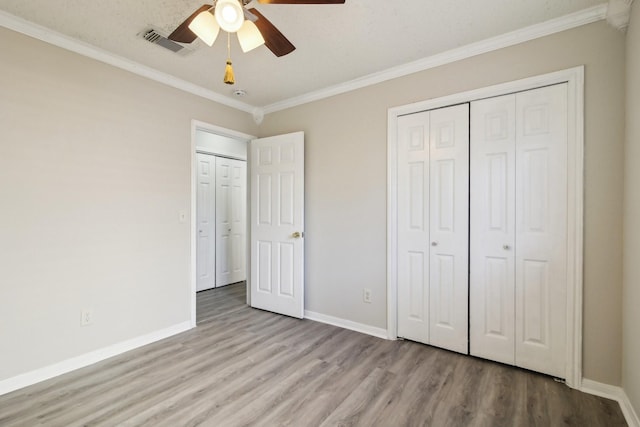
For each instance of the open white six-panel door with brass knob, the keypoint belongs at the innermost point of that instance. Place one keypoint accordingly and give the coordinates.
(277, 224)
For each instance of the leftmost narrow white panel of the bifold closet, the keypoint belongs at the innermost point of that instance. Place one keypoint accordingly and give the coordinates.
(413, 227)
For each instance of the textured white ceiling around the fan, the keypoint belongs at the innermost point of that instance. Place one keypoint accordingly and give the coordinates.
(335, 43)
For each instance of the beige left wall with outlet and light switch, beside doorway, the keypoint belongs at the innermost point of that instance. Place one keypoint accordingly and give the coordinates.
(94, 168)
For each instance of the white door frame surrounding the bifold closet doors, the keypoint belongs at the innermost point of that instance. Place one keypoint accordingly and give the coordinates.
(574, 77)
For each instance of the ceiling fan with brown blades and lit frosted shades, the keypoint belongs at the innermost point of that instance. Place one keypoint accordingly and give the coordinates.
(232, 16)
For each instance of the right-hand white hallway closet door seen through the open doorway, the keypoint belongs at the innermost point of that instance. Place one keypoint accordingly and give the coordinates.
(230, 220)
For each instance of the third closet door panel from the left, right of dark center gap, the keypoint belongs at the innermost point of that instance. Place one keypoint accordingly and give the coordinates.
(492, 229)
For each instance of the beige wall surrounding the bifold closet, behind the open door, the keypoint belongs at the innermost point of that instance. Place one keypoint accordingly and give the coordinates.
(346, 179)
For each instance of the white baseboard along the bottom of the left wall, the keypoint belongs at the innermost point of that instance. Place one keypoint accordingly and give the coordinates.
(42, 374)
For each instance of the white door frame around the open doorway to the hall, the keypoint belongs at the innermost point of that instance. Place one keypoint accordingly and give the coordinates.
(196, 126)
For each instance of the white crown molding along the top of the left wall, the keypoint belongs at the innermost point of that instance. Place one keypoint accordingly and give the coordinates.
(46, 35)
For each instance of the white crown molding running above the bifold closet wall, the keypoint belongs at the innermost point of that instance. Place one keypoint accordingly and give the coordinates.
(567, 22)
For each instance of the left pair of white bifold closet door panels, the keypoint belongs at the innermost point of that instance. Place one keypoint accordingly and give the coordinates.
(433, 190)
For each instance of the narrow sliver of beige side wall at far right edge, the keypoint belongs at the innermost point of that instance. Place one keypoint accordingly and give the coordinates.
(631, 293)
